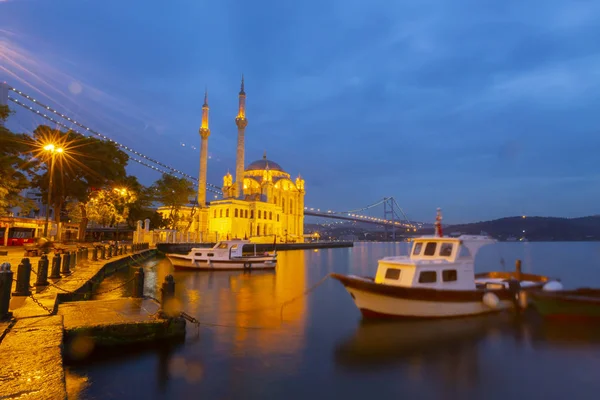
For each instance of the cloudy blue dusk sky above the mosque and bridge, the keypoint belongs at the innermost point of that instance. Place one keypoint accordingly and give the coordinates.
(485, 109)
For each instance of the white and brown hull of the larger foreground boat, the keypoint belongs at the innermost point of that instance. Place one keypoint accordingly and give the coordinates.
(385, 301)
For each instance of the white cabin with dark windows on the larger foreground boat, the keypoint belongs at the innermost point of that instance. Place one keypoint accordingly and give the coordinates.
(435, 263)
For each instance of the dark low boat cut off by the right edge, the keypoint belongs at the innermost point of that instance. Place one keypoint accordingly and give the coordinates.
(580, 304)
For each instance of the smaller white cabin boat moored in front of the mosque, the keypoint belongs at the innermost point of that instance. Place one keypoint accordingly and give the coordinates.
(229, 255)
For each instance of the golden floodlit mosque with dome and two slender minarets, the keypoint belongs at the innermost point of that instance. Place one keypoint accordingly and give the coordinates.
(260, 203)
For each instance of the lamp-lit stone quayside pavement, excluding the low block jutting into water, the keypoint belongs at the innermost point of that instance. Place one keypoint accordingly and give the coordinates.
(32, 343)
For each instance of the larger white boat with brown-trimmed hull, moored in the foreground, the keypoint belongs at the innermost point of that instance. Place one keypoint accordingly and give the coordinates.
(437, 280)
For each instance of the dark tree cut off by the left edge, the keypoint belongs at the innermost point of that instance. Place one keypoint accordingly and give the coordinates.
(15, 167)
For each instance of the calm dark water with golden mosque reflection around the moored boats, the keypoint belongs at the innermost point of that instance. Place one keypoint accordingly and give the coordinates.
(323, 350)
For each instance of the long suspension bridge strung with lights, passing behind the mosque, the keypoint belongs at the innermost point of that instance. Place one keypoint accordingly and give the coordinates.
(393, 218)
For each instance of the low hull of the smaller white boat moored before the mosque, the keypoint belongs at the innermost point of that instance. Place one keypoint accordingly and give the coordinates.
(244, 264)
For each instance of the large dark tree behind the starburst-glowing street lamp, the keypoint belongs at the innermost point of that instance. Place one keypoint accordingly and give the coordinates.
(86, 164)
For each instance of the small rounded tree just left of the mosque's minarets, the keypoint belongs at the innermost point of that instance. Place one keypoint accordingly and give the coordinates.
(173, 192)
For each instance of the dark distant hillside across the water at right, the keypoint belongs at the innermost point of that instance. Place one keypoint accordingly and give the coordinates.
(536, 228)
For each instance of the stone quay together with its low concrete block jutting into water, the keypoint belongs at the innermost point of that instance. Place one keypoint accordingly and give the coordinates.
(53, 320)
